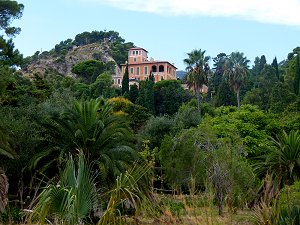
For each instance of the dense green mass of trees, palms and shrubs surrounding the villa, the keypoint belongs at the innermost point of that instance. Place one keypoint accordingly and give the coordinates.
(81, 151)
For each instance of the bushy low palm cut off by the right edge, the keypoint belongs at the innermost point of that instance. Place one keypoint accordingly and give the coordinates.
(282, 159)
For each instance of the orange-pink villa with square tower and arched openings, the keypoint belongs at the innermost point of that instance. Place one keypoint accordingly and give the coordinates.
(139, 67)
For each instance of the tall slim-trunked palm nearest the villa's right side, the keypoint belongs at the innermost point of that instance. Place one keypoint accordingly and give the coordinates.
(197, 72)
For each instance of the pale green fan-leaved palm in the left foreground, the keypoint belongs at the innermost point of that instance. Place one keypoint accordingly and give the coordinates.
(72, 199)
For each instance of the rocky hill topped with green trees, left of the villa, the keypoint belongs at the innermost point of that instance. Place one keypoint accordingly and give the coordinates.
(107, 47)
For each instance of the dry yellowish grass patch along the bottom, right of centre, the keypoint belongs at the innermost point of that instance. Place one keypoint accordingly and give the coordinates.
(195, 212)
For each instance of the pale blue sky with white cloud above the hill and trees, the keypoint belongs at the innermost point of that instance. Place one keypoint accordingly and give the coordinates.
(168, 29)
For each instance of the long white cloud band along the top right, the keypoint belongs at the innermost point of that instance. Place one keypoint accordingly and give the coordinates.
(267, 11)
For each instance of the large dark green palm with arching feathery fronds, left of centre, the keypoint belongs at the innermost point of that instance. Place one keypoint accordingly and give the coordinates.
(91, 127)
